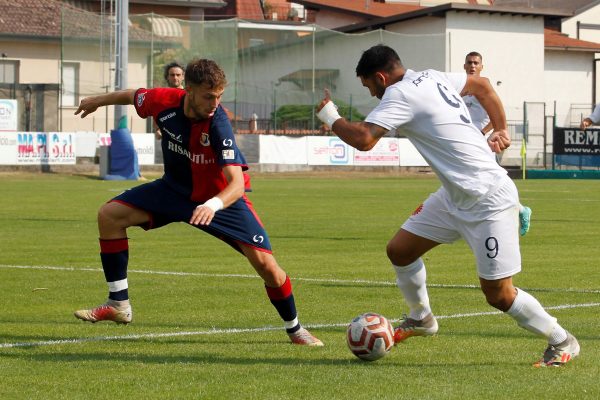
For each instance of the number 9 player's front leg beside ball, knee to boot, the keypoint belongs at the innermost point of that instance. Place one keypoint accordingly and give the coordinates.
(404, 251)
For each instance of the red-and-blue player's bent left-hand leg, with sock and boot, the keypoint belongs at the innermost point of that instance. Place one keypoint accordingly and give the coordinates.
(113, 220)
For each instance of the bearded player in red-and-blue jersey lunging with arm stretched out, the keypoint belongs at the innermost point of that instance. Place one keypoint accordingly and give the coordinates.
(203, 185)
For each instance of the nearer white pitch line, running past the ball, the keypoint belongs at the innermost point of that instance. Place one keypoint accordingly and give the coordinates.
(215, 331)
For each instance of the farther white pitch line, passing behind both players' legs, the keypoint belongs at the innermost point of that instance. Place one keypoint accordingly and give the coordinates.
(318, 280)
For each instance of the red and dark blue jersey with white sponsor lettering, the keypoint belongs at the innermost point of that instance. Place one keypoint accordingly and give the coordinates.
(194, 151)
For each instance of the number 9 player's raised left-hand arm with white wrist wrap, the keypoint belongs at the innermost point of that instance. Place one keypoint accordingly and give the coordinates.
(360, 135)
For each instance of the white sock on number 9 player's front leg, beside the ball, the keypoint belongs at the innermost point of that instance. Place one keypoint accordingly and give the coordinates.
(410, 279)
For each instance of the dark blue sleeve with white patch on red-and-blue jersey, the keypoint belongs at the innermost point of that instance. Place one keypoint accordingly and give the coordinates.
(223, 141)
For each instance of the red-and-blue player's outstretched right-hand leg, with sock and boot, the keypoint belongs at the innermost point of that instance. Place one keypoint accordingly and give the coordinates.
(279, 290)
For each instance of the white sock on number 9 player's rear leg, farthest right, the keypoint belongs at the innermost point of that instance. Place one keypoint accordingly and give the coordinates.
(530, 315)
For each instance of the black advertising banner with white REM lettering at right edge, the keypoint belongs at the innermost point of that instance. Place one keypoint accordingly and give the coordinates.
(577, 142)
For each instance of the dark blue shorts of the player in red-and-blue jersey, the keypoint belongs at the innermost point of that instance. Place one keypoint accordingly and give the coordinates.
(235, 225)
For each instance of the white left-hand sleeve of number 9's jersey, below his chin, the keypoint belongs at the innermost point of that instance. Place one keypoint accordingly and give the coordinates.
(393, 110)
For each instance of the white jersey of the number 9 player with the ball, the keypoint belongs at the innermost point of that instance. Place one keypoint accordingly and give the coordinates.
(435, 119)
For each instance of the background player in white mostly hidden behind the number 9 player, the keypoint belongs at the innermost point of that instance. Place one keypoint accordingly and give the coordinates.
(474, 66)
